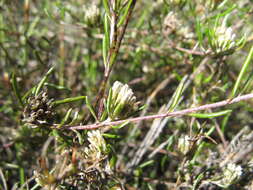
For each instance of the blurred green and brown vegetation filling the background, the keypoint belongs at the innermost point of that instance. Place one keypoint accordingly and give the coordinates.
(166, 41)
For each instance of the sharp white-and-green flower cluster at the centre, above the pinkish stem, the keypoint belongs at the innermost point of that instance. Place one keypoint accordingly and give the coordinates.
(122, 102)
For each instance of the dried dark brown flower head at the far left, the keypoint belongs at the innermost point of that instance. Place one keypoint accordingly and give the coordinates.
(39, 110)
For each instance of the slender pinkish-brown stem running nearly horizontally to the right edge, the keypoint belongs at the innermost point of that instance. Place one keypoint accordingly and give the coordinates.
(169, 114)
